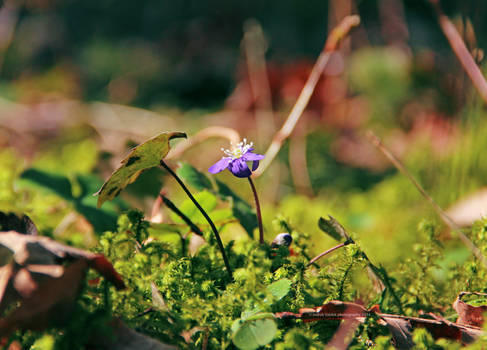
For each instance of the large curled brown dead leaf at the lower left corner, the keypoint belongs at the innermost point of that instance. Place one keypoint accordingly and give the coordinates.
(43, 277)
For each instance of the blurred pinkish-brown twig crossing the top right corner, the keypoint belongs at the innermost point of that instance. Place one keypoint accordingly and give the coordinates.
(461, 51)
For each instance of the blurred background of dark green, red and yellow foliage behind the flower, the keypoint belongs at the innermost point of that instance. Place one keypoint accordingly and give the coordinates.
(83, 81)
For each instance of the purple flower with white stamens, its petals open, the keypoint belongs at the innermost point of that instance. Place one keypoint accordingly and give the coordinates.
(236, 160)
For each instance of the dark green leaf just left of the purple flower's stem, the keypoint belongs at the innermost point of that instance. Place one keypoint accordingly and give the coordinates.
(242, 211)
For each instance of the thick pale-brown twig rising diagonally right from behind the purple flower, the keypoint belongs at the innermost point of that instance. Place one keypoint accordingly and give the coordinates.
(337, 34)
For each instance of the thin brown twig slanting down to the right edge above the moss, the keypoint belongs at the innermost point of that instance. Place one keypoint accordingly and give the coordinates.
(443, 215)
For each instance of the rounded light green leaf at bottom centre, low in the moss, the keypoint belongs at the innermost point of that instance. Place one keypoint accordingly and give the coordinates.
(253, 334)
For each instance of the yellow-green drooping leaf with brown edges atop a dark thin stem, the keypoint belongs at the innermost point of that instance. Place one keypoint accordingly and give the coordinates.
(142, 157)
